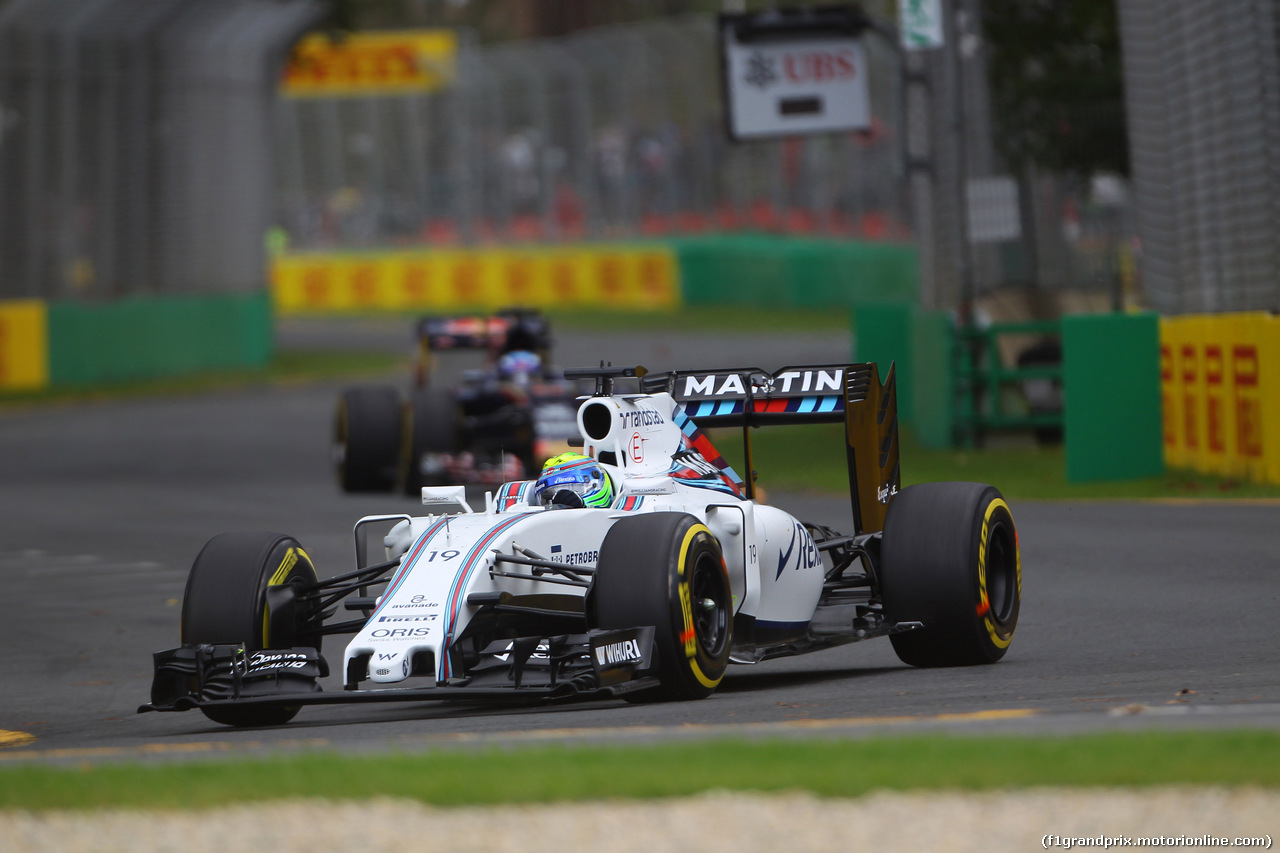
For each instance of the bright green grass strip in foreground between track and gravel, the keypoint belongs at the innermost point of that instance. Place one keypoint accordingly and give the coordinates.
(548, 774)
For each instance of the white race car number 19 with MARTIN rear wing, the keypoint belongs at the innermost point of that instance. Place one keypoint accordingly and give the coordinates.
(639, 568)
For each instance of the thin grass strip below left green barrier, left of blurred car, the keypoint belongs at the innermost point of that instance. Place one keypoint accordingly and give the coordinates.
(285, 368)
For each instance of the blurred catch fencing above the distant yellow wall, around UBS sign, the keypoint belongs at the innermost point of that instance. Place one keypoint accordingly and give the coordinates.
(610, 133)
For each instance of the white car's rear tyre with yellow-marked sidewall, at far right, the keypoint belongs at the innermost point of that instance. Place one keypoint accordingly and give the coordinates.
(949, 559)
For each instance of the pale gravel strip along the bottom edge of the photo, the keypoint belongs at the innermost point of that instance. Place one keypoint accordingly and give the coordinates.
(712, 822)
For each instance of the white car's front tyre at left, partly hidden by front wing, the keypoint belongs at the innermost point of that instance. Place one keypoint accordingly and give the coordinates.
(226, 604)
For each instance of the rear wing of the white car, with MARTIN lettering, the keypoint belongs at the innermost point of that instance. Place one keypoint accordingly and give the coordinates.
(849, 394)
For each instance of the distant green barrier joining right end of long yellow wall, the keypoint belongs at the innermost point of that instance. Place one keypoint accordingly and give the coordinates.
(769, 271)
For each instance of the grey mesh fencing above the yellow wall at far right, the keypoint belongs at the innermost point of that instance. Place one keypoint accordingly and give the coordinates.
(1204, 107)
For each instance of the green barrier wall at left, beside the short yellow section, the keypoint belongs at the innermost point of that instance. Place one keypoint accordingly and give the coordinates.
(149, 337)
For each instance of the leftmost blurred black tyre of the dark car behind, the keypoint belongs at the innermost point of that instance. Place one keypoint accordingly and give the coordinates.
(367, 439)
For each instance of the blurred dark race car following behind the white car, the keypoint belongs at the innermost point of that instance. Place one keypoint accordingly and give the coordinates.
(496, 425)
